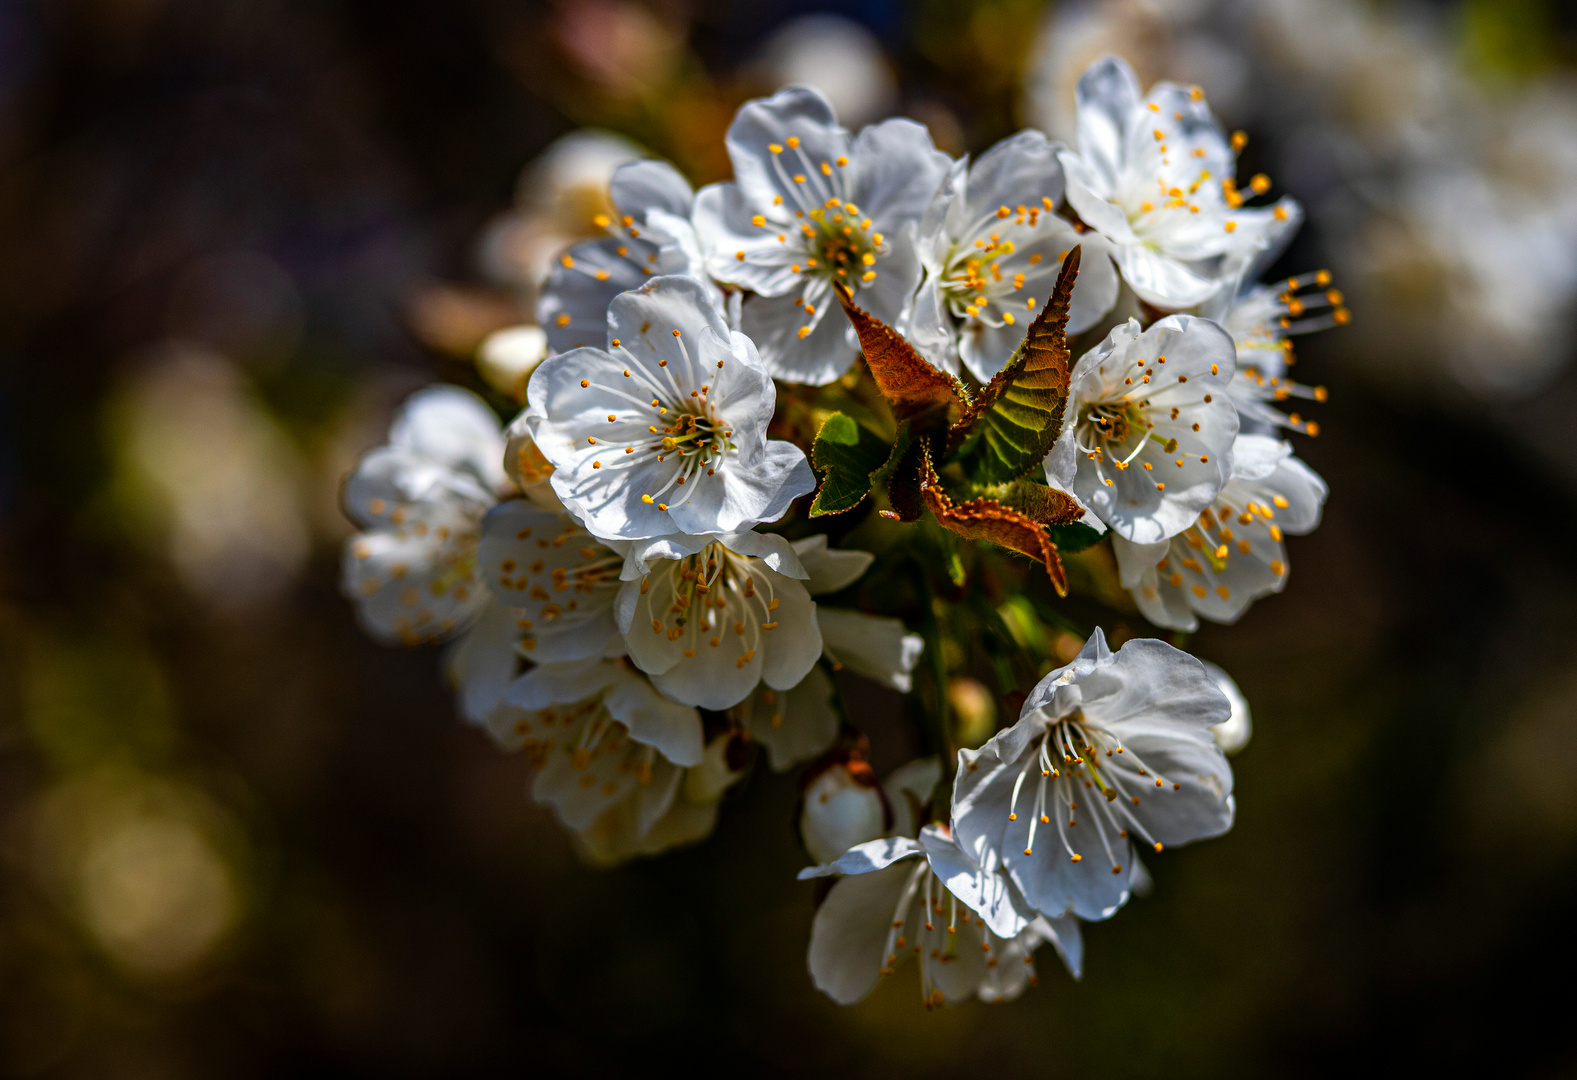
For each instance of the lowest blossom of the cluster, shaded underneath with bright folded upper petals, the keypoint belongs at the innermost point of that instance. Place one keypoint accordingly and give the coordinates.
(971, 931)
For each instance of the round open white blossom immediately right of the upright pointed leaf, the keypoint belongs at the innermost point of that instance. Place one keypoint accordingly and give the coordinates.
(1149, 431)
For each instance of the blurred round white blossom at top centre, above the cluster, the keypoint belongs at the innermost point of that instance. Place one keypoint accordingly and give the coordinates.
(840, 59)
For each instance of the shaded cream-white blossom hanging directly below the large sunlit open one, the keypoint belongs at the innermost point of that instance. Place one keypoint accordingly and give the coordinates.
(714, 625)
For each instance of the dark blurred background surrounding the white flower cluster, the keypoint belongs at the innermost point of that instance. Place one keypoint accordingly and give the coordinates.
(240, 840)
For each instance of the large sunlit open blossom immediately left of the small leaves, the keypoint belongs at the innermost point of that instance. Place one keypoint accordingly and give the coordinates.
(666, 431)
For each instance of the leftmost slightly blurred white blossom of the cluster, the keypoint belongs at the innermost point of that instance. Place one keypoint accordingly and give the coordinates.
(419, 502)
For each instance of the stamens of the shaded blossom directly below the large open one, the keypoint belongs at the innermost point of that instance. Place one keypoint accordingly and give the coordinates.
(707, 597)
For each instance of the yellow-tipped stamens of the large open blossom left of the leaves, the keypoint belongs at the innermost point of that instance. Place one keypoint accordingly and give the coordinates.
(687, 430)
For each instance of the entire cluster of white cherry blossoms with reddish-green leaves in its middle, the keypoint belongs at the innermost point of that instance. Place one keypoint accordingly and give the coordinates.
(643, 597)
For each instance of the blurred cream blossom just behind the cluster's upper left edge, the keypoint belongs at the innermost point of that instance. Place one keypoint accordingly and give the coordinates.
(559, 201)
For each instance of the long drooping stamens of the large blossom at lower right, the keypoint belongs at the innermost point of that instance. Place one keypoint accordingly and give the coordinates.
(1079, 750)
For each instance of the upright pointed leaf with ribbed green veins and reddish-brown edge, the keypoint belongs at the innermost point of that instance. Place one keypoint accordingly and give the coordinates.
(1010, 428)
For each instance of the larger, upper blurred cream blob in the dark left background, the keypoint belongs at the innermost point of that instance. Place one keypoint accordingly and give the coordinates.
(211, 479)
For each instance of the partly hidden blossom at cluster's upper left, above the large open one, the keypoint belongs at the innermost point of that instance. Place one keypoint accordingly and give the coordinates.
(649, 234)
